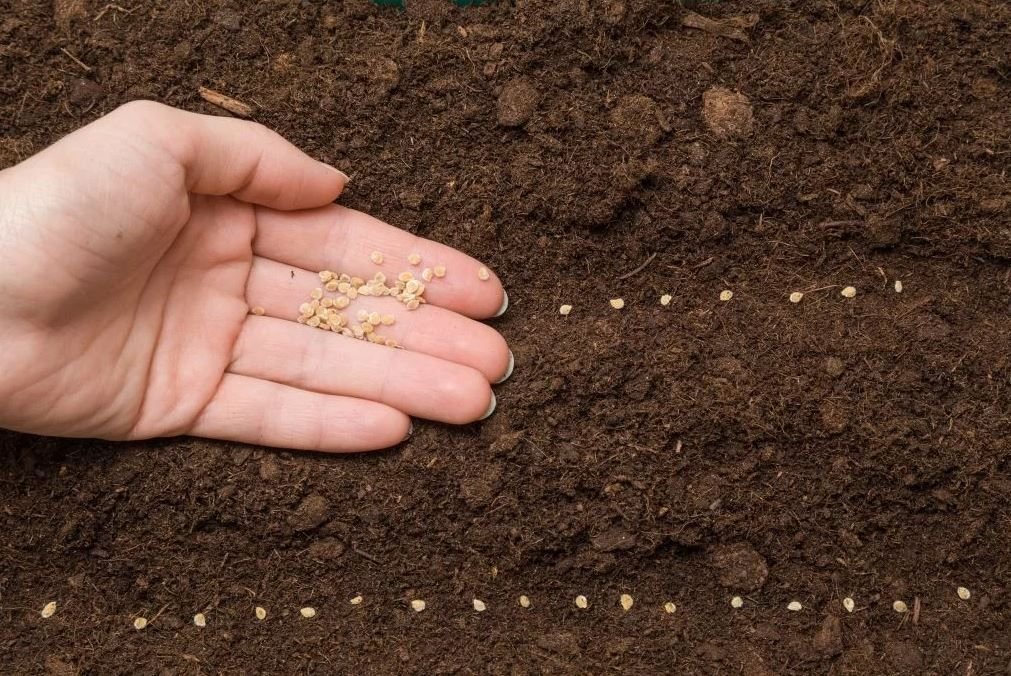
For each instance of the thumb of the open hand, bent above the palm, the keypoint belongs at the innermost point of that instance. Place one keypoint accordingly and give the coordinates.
(222, 156)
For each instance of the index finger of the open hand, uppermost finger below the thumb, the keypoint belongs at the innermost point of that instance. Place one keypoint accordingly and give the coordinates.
(345, 241)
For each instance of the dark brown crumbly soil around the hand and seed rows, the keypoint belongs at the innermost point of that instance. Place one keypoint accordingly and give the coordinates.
(802, 452)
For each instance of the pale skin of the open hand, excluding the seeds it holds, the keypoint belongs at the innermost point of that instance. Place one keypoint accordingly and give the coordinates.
(132, 253)
